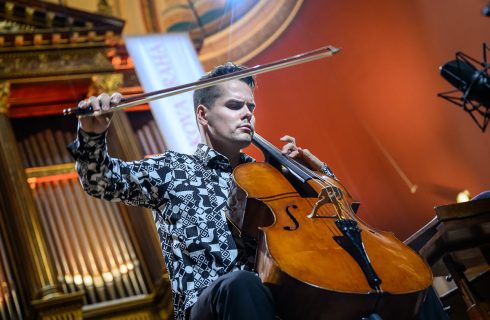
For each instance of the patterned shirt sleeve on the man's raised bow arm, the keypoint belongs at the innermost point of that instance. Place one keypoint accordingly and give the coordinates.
(137, 183)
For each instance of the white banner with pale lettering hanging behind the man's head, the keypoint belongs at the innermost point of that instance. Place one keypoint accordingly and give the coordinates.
(162, 61)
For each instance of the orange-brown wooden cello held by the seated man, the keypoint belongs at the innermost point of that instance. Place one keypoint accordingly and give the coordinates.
(317, 258)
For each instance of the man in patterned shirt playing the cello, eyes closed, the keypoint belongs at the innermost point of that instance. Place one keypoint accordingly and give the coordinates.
(210, 268)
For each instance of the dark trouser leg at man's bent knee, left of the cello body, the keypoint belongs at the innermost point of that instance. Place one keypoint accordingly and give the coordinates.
(238, 295)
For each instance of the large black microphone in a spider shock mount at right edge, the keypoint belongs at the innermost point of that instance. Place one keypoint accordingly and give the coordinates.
(474, 84)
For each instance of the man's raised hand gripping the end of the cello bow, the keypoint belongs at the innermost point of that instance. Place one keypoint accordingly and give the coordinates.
(98, 124)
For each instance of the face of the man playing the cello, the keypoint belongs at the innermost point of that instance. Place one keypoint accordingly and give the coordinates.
(230, 120)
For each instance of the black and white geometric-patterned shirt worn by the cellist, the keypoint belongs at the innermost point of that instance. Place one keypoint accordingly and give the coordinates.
(190, 196)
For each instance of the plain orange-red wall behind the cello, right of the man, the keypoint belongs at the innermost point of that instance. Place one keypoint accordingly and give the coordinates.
(372, 111)
